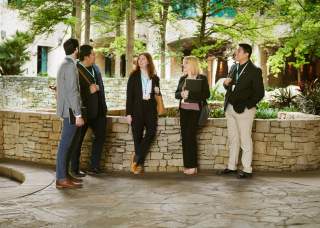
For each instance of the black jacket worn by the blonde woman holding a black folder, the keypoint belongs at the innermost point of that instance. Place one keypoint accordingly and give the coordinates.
(199, 97)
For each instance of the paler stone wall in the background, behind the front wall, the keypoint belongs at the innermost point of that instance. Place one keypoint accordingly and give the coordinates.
(33, 92)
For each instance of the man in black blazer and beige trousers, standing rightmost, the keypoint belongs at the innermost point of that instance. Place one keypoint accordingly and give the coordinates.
(244, 90)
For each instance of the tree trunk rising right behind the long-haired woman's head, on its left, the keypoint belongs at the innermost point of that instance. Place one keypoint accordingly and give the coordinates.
(130, 22)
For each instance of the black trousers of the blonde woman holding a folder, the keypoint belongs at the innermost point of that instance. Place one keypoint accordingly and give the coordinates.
(189, 126)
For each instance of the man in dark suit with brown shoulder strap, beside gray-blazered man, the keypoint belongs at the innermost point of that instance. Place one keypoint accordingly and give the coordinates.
(93, 99)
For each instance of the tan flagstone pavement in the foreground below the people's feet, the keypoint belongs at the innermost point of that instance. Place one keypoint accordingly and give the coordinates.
(172, 200)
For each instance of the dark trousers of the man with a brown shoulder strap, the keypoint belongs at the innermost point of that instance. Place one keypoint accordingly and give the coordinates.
(98, 127)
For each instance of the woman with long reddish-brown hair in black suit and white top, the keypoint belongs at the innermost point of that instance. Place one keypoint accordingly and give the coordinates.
(141, 108)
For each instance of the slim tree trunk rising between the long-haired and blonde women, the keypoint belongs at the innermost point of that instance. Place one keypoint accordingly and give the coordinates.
(163, 27)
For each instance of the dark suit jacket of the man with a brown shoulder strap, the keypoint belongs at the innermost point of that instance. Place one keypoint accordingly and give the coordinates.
(93, 102)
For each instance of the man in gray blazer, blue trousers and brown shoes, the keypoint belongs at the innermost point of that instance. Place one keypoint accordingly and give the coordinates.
(68, 102)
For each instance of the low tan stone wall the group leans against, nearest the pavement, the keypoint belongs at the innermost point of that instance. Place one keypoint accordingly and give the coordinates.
(279, 145)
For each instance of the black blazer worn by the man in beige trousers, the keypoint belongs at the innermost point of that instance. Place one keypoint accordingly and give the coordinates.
(248, 91)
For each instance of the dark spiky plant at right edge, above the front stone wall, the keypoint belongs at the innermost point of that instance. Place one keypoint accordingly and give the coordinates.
(309, 99)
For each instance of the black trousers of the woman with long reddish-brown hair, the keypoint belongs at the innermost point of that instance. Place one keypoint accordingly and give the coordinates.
(149, 122)
